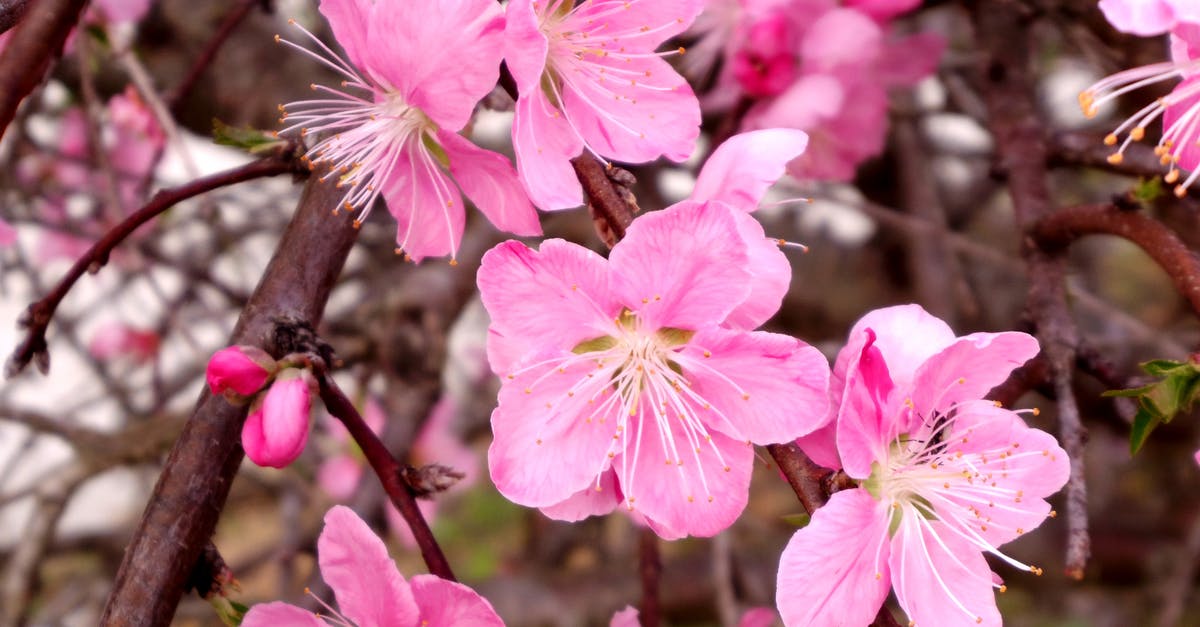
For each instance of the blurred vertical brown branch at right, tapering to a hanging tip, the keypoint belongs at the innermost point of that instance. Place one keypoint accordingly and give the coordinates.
(1004, 31)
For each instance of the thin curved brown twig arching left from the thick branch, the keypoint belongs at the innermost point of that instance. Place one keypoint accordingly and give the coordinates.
(38, 317)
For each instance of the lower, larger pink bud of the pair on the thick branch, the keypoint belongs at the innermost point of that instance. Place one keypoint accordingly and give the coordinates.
(277, 431)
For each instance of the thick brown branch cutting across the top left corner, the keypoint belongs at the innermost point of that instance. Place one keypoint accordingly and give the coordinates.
(27, 56)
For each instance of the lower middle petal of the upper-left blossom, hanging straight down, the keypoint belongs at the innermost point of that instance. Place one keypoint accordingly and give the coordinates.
(425, 204)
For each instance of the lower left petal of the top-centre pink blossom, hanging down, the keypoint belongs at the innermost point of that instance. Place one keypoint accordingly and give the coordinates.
(545, 144)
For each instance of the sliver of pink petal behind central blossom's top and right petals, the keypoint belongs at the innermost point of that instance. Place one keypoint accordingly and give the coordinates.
(771, 277)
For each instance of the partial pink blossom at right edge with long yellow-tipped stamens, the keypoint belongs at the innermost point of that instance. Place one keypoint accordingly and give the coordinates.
(1179, 111)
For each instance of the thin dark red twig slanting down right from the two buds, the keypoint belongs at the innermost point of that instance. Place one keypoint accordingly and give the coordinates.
(389, 473)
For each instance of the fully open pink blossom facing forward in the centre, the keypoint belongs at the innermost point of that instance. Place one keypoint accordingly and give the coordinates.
(623, 384)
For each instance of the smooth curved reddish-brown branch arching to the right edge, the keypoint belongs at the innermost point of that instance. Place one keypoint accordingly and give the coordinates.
(1065, 226)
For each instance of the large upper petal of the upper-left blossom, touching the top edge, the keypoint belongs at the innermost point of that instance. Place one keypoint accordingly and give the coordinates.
(403, 38)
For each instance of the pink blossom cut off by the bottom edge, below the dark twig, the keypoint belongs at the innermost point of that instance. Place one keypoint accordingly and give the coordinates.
(371, 592)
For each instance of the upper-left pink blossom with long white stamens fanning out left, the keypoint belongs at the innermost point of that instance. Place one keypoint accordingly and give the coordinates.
(392, 130)
